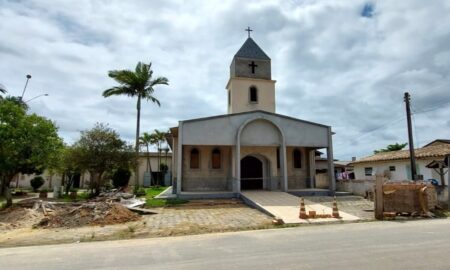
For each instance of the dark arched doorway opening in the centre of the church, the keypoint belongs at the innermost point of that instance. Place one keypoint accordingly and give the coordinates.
(251, 173)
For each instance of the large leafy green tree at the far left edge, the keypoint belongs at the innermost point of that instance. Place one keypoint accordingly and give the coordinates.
(27, 142)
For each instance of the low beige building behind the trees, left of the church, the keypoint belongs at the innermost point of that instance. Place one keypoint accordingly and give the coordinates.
(82, 180)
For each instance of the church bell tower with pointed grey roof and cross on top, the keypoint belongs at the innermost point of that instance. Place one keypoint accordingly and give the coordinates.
(250, 86)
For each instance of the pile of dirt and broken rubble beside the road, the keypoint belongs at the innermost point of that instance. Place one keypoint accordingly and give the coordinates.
(108, 208)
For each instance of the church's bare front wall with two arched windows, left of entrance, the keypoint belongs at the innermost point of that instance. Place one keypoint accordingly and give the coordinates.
(205, 178)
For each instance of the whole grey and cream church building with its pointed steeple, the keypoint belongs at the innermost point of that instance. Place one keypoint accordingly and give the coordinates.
(251, 147)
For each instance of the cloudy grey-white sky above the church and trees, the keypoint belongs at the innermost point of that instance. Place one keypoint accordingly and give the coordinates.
(345, 64)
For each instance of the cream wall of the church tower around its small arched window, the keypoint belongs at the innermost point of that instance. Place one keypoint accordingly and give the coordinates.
(240, 95)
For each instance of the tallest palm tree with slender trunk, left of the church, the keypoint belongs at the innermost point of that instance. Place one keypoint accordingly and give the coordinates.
(138, 83)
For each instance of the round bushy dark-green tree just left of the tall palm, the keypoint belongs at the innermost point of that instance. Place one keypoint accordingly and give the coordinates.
(100, 150)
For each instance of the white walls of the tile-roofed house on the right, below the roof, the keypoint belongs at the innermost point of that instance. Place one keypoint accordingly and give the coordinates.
(400, 172)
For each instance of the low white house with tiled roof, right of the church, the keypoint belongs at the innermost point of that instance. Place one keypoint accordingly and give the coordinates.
(395, 165)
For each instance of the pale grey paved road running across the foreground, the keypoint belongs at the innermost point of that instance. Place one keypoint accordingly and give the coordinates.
(376, 245)
